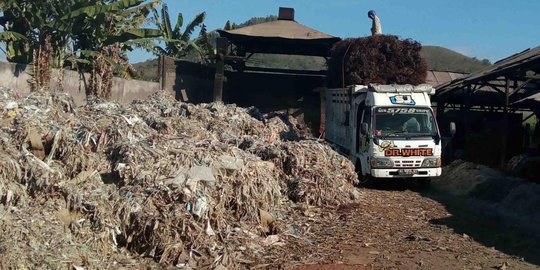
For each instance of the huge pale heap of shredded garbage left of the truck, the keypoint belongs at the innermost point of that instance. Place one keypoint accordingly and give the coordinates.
(156, 182)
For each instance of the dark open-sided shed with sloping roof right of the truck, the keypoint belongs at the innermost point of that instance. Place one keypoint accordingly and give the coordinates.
(509, 88)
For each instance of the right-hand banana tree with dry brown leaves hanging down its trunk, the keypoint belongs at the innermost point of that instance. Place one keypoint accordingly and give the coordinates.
(103, 32)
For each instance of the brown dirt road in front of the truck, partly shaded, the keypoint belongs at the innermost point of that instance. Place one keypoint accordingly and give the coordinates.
(403, 229)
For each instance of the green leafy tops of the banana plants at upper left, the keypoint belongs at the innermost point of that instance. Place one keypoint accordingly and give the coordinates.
(74, 25)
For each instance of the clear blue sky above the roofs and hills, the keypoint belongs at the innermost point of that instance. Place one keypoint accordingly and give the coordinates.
(486, 29)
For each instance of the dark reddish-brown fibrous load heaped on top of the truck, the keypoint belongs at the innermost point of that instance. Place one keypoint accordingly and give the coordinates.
(383, 59)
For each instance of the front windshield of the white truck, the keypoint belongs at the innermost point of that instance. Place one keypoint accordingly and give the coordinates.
(404, 121)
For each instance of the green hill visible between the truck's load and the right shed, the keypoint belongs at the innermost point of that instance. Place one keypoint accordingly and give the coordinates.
(443, 59)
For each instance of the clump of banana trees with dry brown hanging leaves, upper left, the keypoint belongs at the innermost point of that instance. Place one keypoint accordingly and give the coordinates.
(93, 34)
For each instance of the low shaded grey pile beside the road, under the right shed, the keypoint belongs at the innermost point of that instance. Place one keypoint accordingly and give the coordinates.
(511, 195)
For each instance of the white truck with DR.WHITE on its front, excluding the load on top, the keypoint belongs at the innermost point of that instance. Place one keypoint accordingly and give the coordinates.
(388, 131)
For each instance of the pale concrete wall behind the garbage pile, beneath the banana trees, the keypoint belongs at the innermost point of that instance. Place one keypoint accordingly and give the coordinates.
(17, 76)
